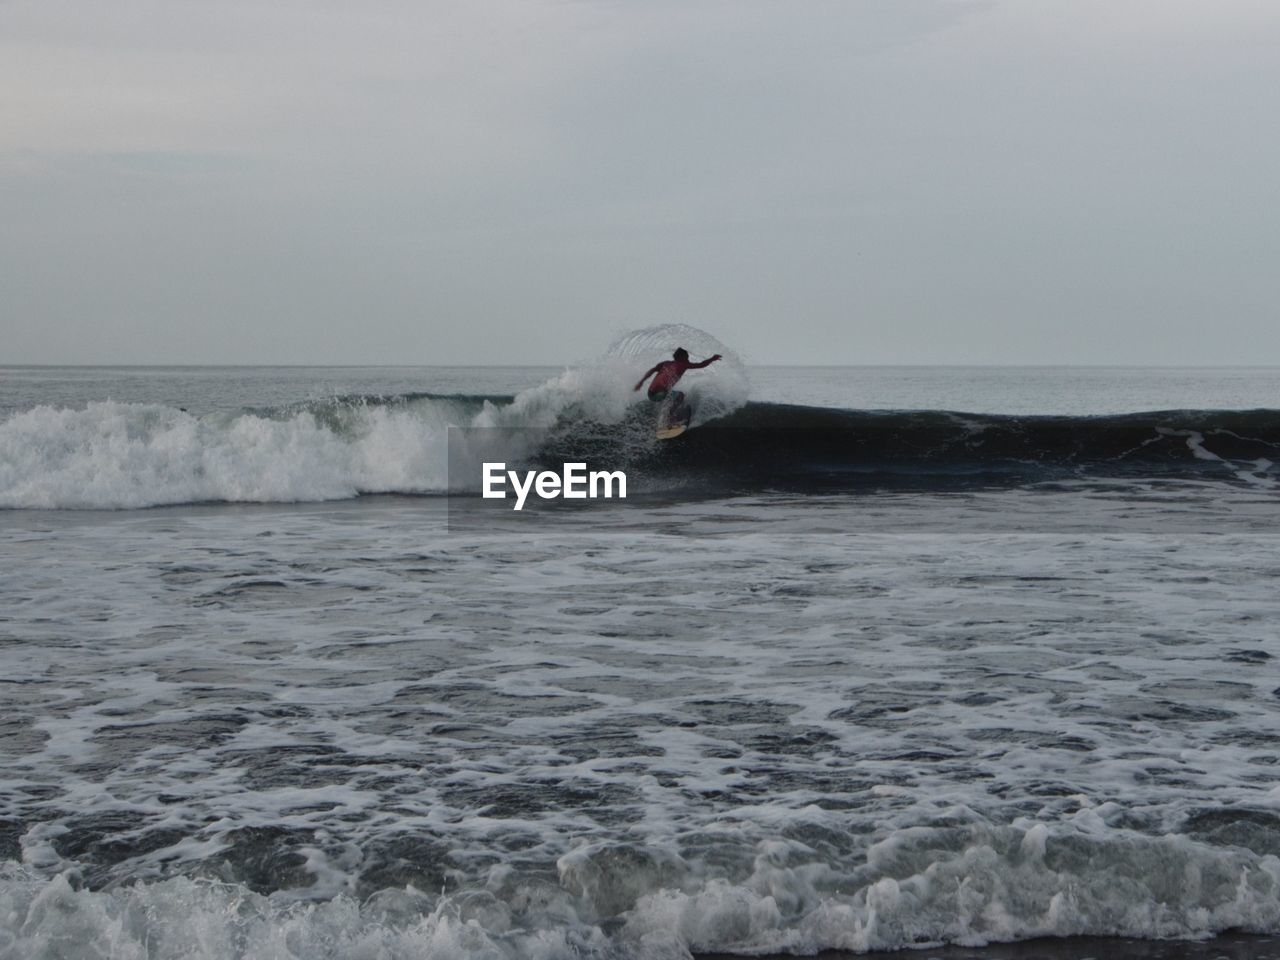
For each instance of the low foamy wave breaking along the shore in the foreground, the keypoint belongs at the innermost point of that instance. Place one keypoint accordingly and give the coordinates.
(964, 884)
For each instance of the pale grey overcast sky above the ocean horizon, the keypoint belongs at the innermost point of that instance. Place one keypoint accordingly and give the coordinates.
(518, 181)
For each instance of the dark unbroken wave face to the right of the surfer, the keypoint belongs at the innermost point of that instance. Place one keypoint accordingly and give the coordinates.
(808, 447)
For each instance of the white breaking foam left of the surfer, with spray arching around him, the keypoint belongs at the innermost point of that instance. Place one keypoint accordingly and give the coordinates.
(111, 455)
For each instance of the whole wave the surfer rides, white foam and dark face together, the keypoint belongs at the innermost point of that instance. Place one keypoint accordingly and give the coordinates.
(118, 456)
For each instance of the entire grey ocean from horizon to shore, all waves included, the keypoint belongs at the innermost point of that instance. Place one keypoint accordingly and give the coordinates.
(868, 660)
